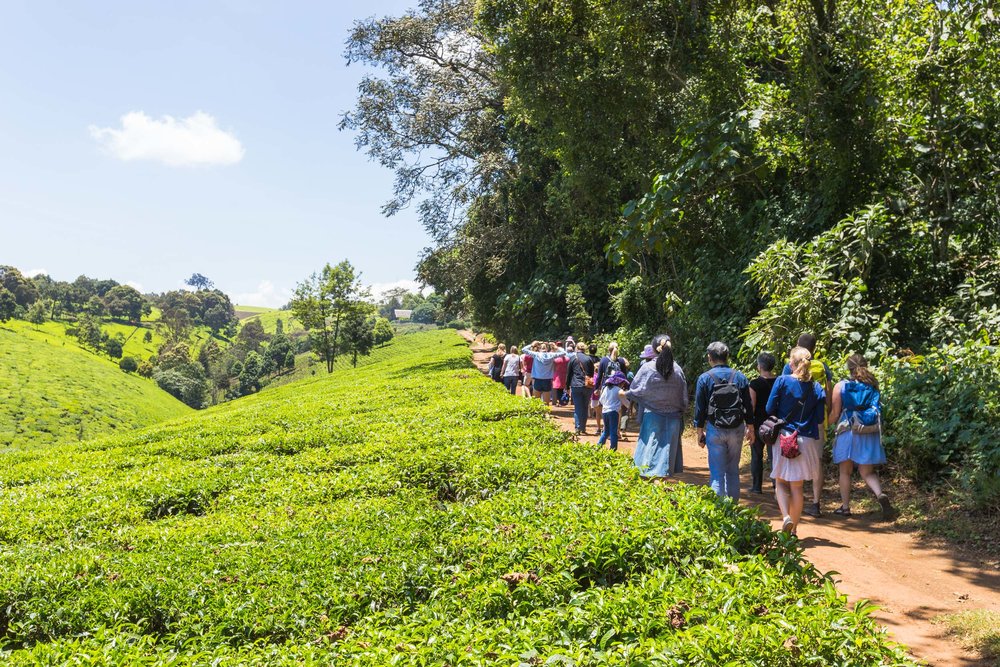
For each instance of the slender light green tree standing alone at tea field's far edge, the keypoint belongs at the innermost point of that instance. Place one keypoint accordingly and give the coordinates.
(323, 303)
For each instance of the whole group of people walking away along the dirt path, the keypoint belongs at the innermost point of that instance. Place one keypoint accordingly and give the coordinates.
(783, 418)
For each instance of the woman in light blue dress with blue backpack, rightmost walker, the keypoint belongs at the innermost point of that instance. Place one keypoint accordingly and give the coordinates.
(857, 411)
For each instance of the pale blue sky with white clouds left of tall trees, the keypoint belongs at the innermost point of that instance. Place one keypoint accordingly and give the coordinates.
(256, 192)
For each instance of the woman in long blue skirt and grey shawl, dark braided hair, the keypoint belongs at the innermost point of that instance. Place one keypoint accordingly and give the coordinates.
(662, 391)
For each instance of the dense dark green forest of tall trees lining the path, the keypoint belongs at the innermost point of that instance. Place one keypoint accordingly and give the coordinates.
(718, 170)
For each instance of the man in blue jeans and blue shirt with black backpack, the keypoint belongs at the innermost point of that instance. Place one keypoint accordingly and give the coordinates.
(723, 417)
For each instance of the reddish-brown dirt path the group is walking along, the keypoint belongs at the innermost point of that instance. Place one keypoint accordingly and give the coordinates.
(911, 579)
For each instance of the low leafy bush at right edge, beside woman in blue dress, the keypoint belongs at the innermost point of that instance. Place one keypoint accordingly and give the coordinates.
(943, 419)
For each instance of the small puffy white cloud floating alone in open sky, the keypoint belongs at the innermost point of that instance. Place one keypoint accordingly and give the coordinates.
(185, 142)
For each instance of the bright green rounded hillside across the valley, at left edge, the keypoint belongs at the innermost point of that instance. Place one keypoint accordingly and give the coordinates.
(54, 392)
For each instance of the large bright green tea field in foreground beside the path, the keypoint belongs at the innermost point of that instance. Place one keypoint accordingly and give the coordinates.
(404, 512)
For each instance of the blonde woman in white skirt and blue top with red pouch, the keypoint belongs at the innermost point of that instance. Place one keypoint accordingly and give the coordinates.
(800, 401)
